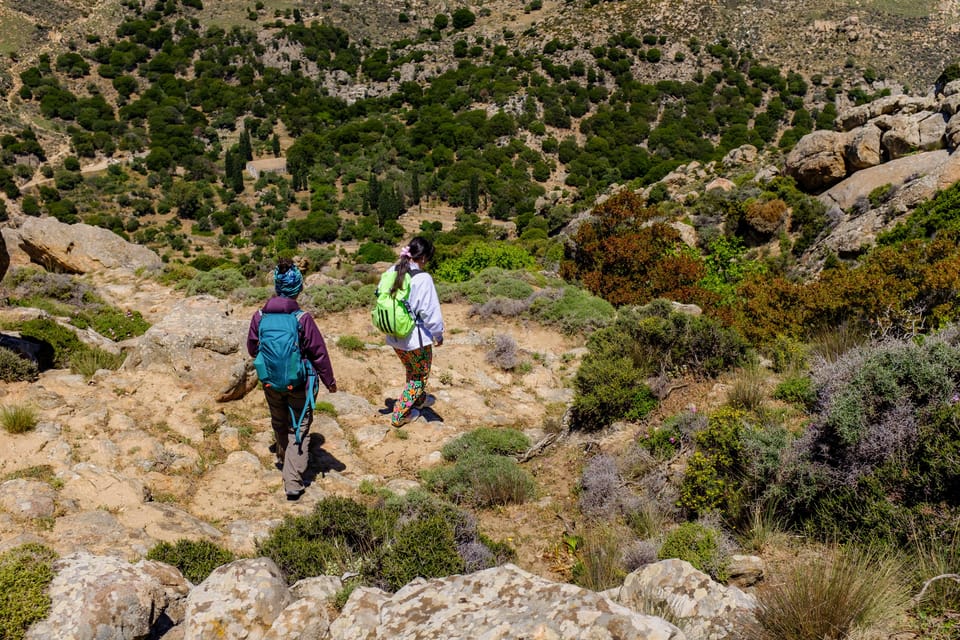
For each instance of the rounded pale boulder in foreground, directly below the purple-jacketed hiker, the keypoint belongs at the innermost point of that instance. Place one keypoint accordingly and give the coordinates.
(238, 601)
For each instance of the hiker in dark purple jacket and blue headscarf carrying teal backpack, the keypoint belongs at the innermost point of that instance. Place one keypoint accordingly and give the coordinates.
(290, 357)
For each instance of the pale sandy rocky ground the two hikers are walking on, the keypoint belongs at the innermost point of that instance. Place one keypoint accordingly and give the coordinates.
(145, 454)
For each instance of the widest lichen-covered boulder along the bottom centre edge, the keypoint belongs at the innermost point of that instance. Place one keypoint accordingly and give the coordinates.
(498, 603)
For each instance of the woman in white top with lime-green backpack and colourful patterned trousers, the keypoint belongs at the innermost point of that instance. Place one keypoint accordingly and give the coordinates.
(408, 312)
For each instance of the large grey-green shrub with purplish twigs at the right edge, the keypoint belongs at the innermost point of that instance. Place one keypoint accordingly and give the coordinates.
(880, 457)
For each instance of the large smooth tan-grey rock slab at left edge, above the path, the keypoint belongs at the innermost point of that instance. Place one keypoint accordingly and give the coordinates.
(80, 248)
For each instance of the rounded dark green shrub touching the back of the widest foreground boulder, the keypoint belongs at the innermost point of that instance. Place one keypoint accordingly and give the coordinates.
(423, 548)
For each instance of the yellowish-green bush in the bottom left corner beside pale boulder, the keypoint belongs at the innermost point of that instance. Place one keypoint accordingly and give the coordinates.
(25, 573)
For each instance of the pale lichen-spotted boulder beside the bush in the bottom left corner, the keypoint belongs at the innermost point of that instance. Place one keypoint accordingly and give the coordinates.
(106, 598)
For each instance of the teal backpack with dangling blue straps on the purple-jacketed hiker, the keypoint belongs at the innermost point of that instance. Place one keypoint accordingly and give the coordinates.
(279, 363)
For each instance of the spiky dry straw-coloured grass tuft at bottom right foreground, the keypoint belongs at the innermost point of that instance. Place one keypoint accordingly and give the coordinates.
(831, 596)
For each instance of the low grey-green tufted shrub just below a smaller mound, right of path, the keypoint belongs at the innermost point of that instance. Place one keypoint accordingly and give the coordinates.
(482, 480)
